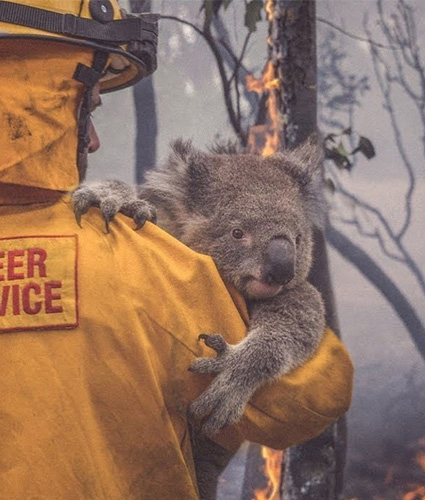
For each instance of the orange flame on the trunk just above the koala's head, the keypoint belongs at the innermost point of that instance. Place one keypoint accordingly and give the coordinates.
(265, 139)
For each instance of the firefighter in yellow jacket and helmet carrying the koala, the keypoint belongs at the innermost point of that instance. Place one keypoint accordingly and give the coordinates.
(97, 331)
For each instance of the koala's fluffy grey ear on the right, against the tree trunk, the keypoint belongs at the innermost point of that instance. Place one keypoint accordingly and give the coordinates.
(305, 164)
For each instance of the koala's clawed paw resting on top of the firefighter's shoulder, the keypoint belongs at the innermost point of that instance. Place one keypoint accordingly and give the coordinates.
(112, 197)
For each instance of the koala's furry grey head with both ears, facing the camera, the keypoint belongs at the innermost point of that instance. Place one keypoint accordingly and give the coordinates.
(253, 215)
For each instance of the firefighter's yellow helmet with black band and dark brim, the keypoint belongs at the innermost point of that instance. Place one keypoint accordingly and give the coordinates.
(125, 45)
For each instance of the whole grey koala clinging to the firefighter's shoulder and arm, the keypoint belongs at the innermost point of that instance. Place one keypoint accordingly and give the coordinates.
(254, 216)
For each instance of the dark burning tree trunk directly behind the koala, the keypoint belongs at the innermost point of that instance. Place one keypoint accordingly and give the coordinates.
(314, 469)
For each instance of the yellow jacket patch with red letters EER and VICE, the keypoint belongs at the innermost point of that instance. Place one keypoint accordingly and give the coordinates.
(38, 283)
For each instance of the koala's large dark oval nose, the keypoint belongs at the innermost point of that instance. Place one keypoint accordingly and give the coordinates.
(280, 262)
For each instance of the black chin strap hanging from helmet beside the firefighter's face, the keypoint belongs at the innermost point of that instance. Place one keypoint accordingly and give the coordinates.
(89, 76)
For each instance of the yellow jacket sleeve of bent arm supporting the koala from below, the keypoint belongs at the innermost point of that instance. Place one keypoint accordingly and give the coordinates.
(300, 405)
